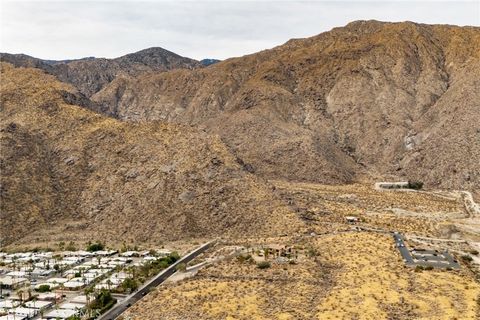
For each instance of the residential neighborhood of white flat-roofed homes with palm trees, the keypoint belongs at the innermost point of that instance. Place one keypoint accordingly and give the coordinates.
(70, 284)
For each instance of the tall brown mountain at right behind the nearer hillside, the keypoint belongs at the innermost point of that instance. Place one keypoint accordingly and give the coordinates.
(383, 99)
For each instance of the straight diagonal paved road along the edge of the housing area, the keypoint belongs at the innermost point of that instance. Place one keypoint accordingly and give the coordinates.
(118, 309)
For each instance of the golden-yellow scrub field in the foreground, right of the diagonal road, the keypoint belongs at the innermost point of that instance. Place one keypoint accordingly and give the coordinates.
(348, 275)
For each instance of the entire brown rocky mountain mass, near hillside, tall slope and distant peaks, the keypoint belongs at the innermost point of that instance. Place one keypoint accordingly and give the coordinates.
(188, 147)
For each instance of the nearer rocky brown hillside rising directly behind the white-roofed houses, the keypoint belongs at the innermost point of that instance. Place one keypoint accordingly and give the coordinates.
(69, 173)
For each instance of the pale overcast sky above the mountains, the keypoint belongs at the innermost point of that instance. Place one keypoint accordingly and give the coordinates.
(196, 29)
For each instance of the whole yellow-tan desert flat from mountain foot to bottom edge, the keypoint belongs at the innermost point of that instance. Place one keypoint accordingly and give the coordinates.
(334, 272)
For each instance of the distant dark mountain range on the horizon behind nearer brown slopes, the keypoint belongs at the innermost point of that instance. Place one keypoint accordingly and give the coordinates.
(89, 75)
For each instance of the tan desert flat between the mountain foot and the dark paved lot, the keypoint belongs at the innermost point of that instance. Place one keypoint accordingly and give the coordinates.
(325, 206)
